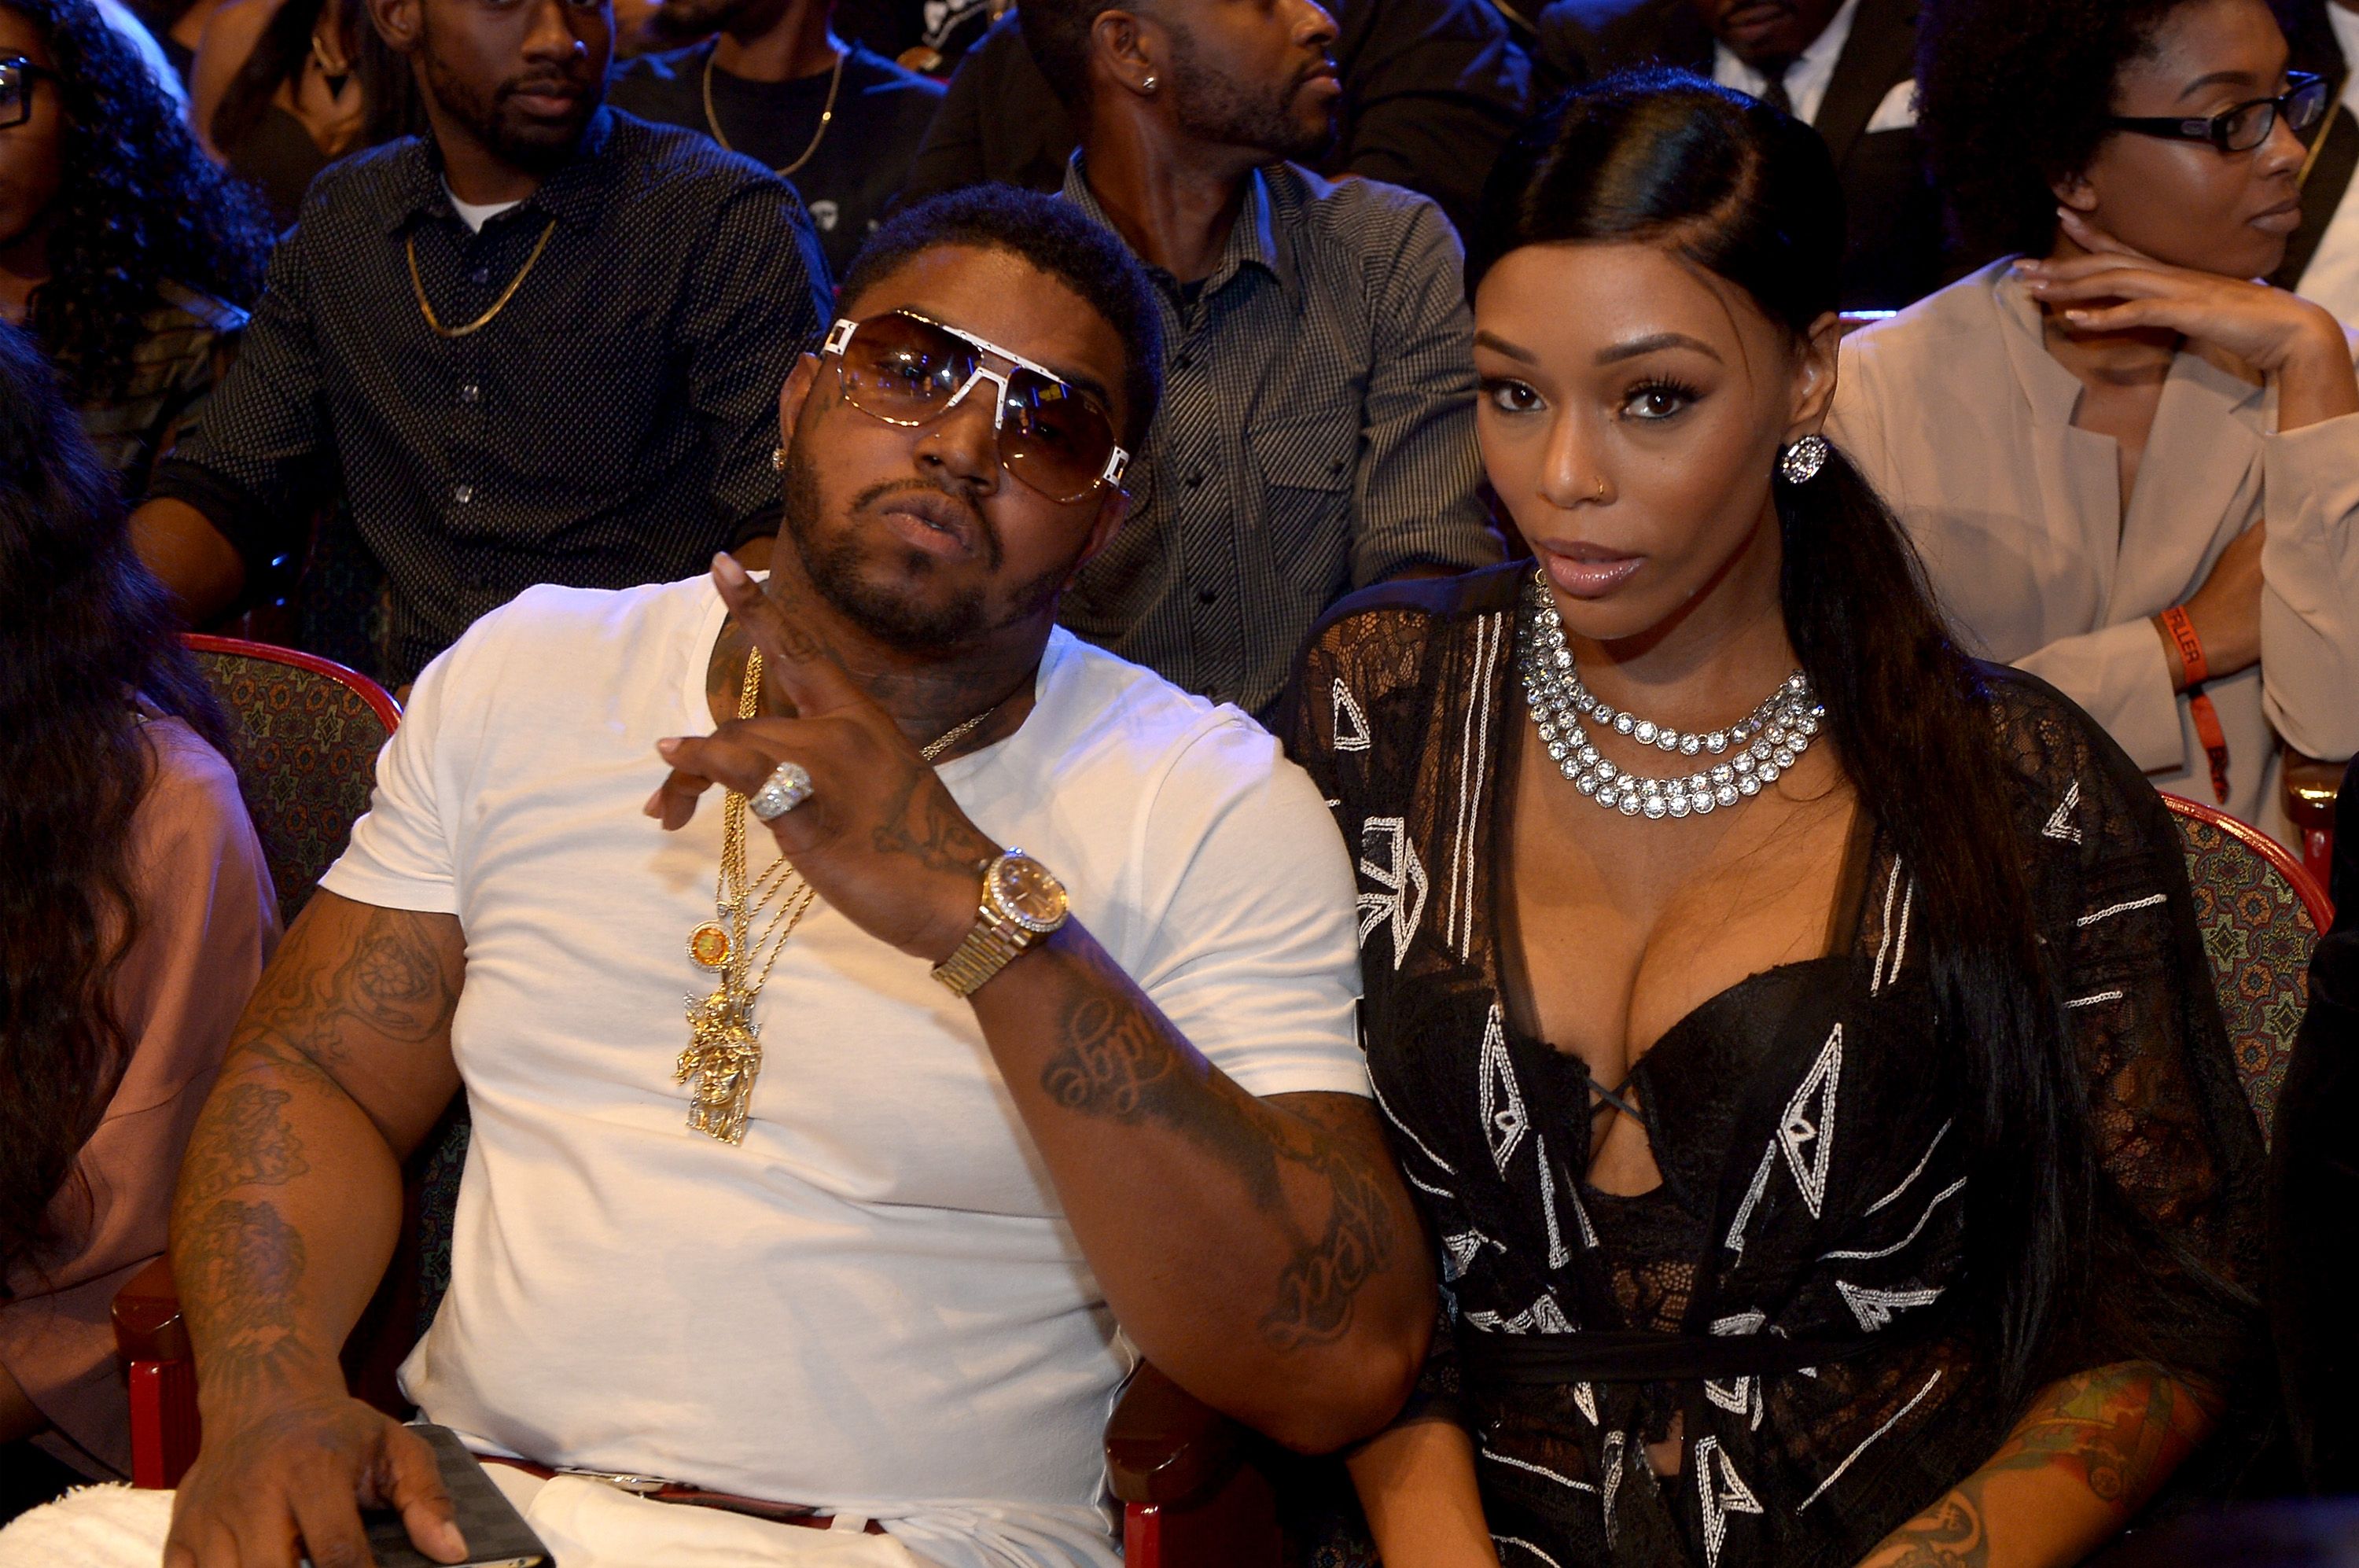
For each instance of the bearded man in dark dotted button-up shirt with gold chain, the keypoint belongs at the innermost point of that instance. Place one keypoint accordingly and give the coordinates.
(537, 345)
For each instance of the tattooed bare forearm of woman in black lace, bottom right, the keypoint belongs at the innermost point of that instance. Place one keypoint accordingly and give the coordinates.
(2075, 1470)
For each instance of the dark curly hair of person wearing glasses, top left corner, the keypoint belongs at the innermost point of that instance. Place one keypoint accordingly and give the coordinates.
(140, 204)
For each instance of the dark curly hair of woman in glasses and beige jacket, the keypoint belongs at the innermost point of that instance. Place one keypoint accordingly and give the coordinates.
(2013, 98)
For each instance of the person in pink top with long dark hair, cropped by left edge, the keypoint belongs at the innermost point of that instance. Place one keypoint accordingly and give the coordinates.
(136, 914)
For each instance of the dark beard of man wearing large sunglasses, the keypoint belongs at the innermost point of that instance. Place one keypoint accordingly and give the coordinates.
(843, 572)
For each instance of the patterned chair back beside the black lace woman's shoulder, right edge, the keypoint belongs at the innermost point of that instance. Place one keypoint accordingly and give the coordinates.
(2261, 916)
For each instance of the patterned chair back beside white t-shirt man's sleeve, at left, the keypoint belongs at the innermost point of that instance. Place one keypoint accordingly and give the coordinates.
(308, 753)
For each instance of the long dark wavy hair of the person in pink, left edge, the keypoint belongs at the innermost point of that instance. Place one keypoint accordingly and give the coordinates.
(84, 631)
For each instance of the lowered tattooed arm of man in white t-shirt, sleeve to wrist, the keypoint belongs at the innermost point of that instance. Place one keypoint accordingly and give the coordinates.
(291, 1190)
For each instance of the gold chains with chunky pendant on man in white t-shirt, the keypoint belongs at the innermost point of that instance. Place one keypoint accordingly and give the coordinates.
(725, 1041)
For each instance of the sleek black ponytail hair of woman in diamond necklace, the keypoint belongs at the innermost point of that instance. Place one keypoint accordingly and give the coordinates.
(1752, 197)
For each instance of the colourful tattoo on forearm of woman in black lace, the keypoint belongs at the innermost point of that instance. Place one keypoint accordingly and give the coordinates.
(2120, 1432)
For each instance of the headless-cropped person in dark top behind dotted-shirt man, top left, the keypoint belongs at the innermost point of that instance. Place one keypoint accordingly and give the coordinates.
(284, 88)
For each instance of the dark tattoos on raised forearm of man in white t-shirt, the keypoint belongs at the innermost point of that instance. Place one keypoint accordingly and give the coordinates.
(1124, 1062)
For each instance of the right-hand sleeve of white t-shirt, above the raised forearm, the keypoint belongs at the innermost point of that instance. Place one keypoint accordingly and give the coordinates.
(1256, 954)
